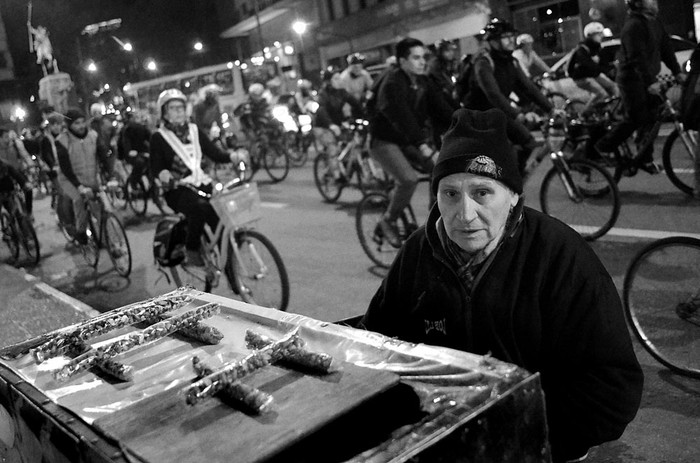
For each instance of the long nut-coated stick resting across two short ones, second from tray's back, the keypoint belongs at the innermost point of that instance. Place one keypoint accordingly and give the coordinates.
(152, 333)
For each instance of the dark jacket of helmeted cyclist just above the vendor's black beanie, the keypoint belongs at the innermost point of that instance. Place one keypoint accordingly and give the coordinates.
(495, 76)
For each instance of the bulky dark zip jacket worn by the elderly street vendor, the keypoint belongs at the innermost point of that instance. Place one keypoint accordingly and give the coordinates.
(543, 301)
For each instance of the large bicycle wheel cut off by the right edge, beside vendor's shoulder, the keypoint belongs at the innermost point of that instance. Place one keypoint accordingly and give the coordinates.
(661, 295)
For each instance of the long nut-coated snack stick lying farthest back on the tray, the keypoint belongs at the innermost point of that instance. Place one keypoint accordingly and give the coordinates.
(149, 309)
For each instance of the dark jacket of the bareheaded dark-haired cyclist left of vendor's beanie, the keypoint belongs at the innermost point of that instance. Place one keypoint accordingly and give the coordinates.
(403, 108)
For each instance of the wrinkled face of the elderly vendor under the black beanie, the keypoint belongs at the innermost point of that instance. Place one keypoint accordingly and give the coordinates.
(474, 210)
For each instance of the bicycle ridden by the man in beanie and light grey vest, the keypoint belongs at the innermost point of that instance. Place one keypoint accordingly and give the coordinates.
(104, 230)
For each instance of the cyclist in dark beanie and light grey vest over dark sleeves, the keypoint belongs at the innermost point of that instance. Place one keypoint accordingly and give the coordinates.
(80, 156)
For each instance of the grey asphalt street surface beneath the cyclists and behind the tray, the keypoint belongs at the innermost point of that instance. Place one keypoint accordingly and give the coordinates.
(331, 279)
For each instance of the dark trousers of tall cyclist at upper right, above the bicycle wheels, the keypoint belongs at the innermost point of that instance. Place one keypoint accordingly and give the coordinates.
(640, 109)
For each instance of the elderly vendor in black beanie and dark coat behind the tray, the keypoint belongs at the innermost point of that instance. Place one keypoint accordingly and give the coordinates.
(490, 276)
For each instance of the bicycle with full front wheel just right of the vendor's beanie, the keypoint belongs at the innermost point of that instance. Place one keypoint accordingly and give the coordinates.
(586, 196)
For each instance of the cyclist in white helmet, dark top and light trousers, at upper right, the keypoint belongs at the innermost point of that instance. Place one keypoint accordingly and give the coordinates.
(585, 69)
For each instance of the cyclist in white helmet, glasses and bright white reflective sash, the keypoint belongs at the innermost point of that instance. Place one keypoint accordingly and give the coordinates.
(177, 149)
